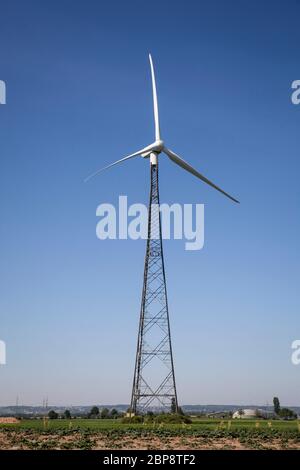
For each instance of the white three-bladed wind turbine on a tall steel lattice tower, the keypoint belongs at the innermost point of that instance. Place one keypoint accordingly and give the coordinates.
(153, 384)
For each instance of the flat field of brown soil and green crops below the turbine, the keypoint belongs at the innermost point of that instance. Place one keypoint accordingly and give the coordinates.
(88, 434)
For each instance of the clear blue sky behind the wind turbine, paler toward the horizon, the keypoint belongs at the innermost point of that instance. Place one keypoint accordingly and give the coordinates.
(78, 97)
